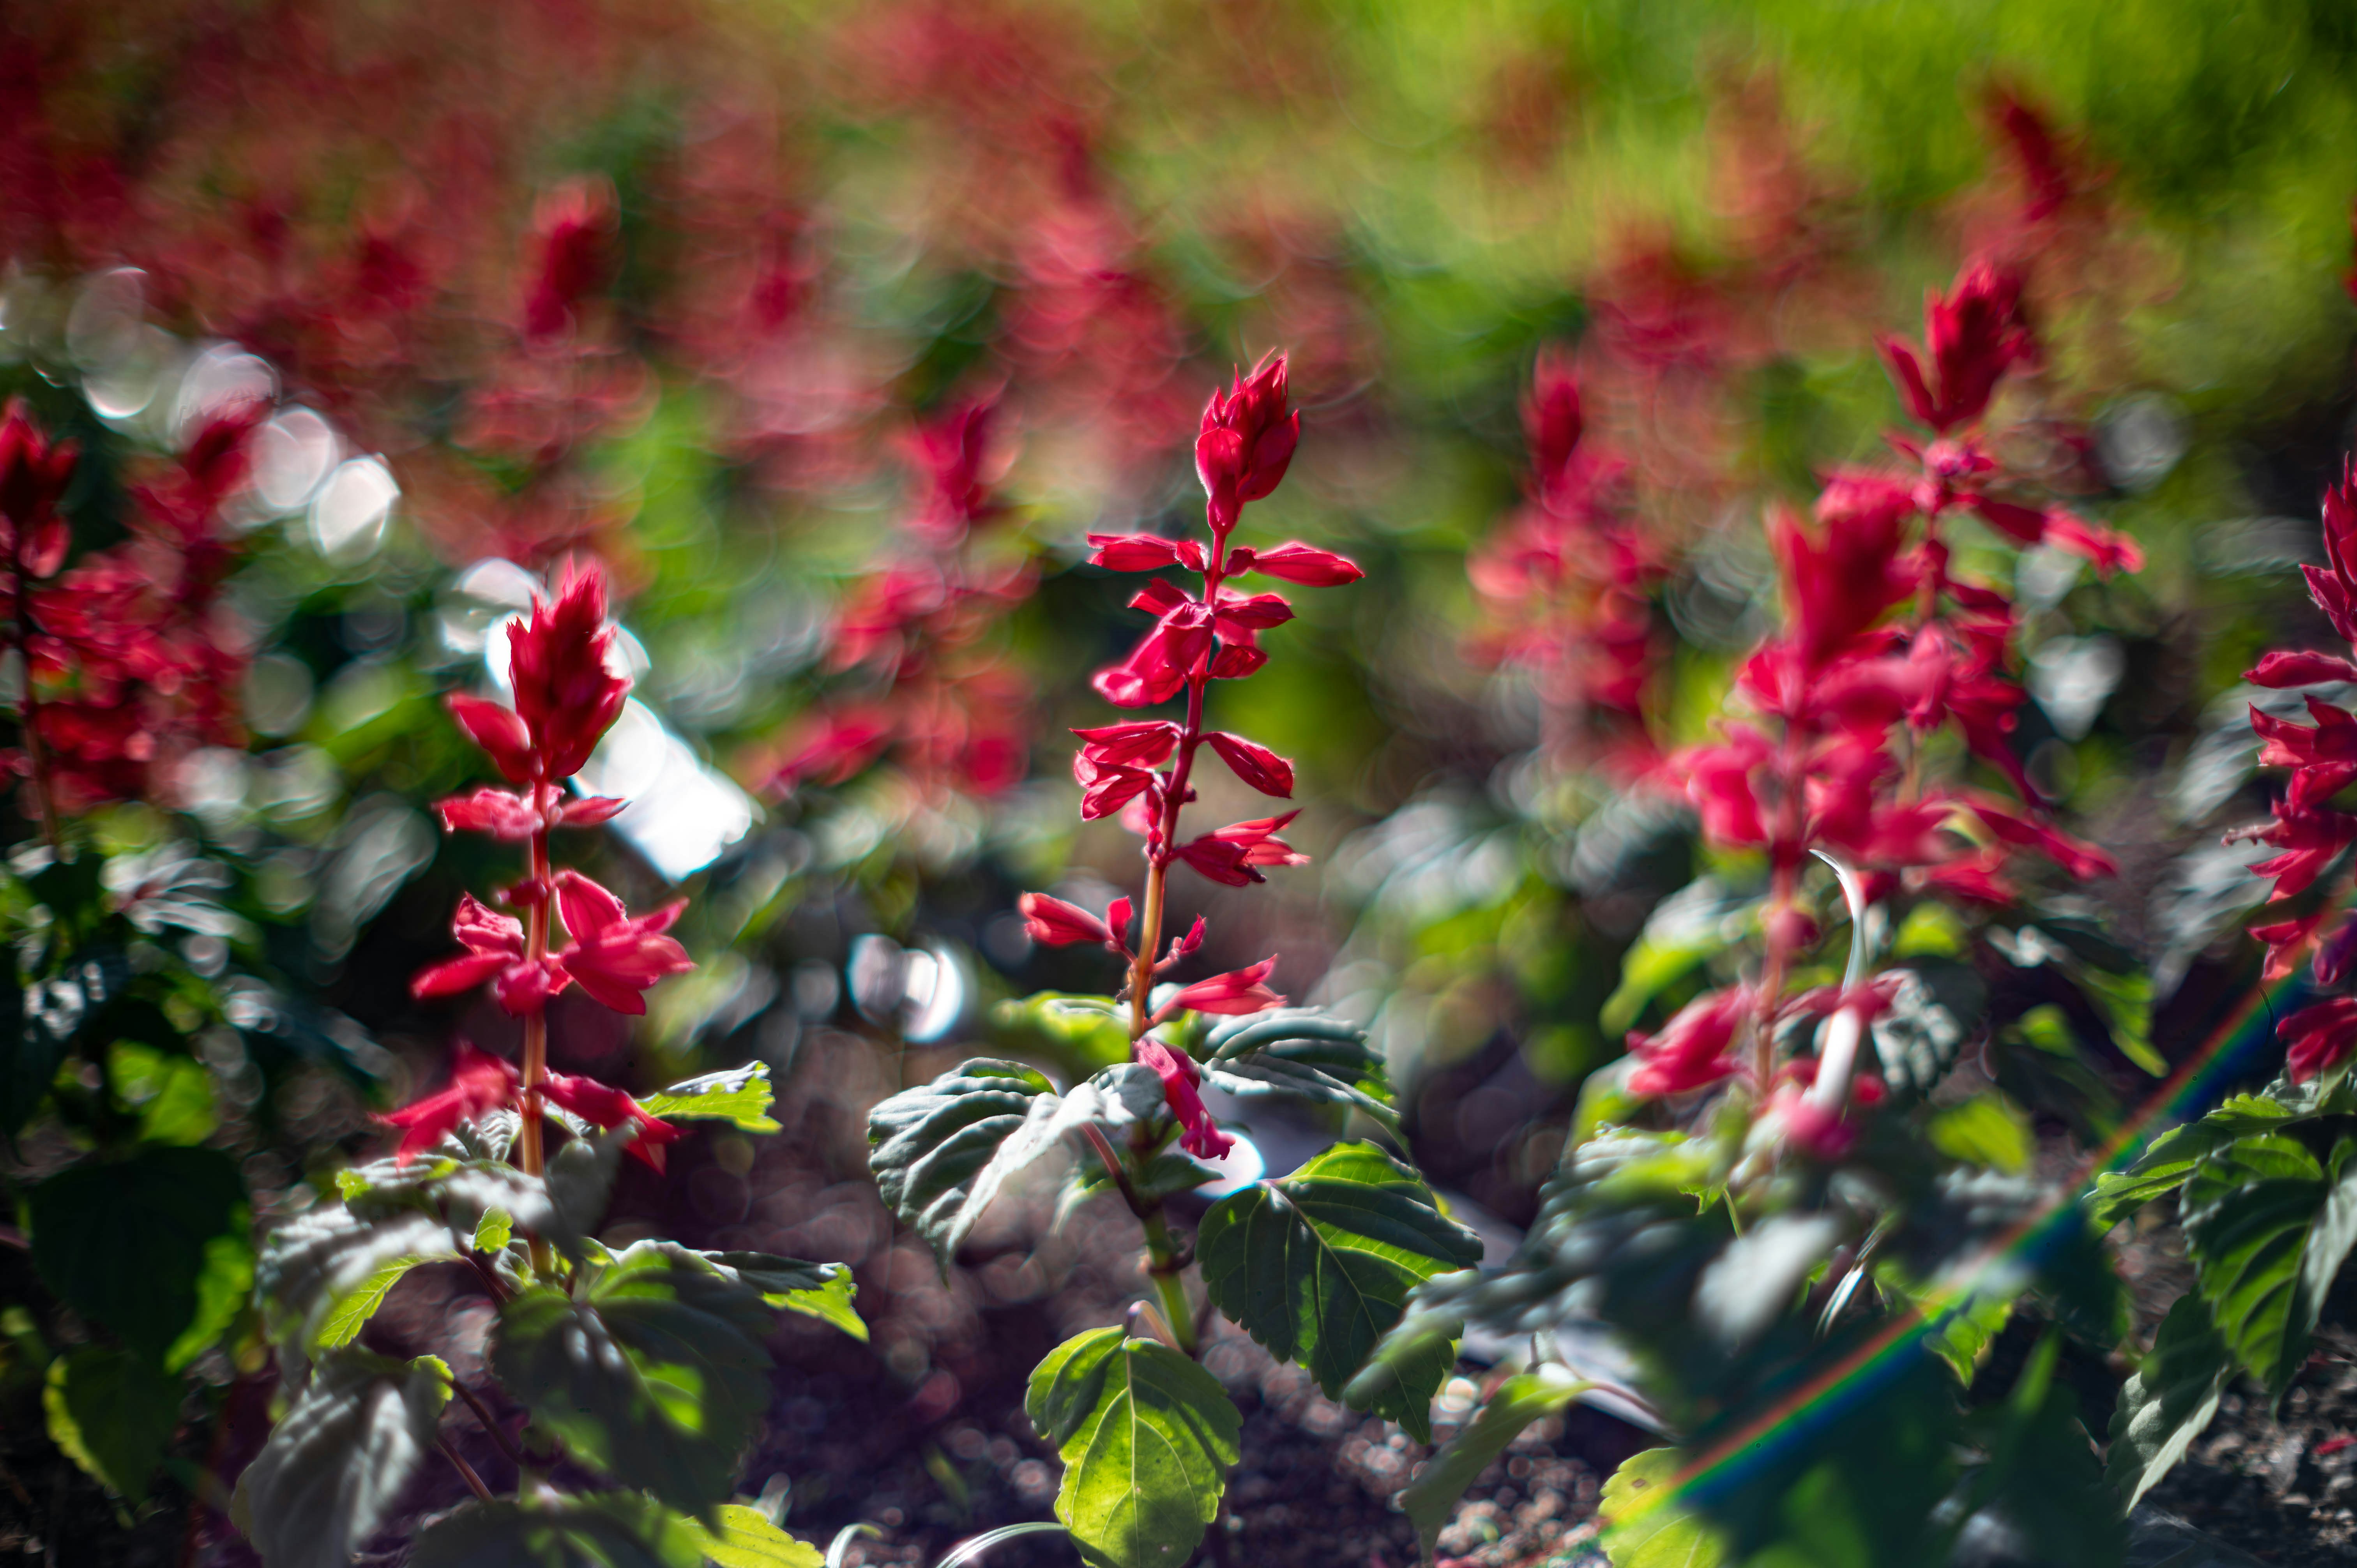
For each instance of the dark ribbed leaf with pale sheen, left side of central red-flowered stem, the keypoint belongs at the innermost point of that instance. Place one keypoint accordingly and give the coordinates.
(932, 1147)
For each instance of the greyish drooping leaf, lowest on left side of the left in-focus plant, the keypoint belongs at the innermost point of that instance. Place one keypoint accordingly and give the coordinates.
(338, 1461)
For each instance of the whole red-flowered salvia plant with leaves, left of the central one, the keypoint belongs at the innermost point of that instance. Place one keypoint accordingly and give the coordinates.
(642, 1366)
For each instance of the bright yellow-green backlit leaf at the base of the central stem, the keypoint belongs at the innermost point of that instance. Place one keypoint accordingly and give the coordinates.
(1147, 1442)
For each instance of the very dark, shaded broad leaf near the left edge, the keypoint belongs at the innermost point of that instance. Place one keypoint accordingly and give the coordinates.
(124, 1241)
